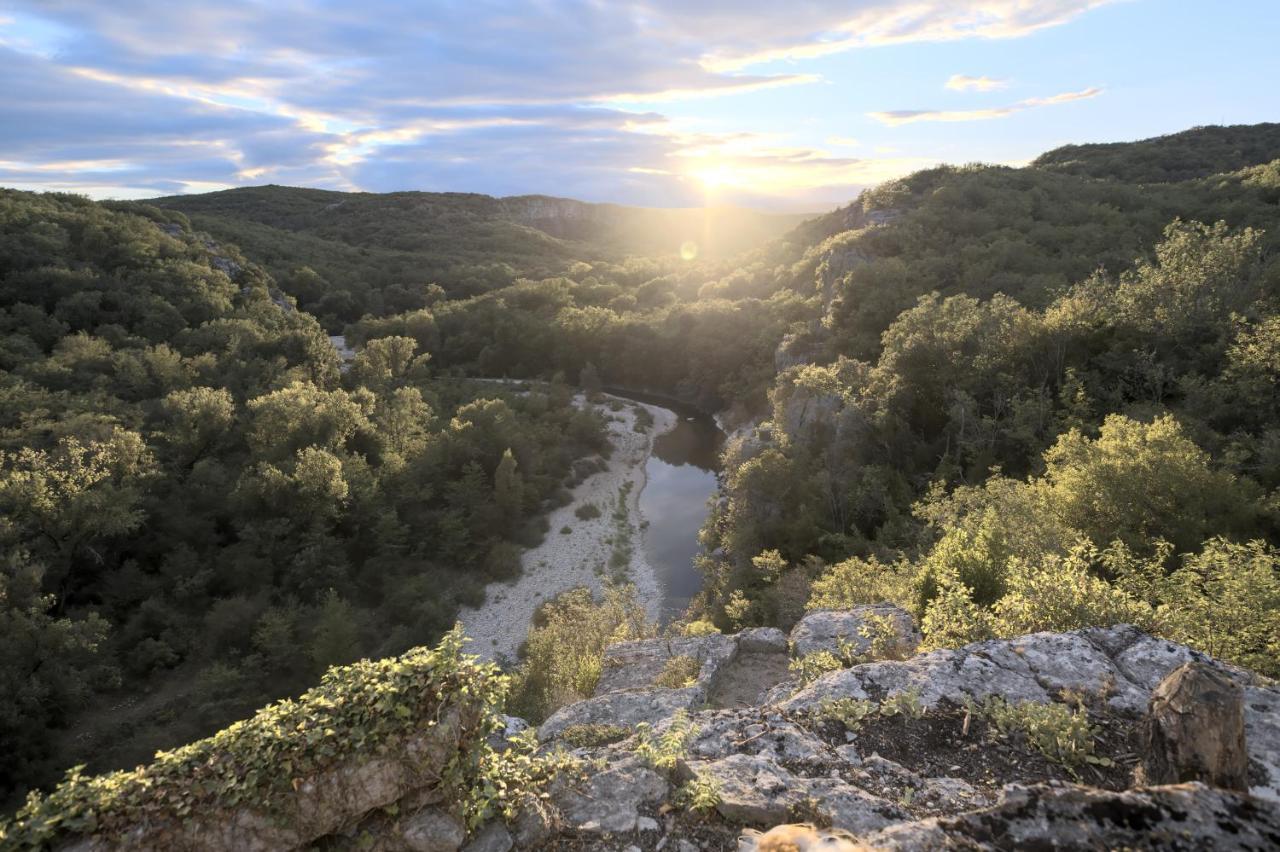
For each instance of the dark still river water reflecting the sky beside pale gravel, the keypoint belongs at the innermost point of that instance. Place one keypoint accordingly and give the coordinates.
(682, 477)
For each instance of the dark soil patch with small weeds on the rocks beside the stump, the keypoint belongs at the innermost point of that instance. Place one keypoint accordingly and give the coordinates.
(940, 745)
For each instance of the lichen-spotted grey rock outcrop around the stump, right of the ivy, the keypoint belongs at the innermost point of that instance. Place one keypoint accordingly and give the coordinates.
(953, 749)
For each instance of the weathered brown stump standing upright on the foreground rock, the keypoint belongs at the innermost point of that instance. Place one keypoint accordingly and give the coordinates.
(1195, 731)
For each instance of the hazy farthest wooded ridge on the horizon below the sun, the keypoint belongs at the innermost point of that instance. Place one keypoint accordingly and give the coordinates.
(377, 253)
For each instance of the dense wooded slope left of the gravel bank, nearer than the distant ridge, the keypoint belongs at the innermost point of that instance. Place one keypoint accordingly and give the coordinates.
(185, 462)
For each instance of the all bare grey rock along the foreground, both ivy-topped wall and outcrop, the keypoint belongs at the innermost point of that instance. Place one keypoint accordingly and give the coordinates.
(696, 743)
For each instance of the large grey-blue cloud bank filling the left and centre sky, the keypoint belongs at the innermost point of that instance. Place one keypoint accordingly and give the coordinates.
(484, 95)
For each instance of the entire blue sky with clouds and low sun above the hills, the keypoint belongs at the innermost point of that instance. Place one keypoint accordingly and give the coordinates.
(783, 106)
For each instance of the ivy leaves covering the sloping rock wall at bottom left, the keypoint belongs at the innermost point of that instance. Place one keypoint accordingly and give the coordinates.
(358, 711)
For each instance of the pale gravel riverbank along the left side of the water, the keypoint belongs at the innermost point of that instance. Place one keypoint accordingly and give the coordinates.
(582, 551)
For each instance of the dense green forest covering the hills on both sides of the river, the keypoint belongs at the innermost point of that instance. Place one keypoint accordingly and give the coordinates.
(1009, 400)
